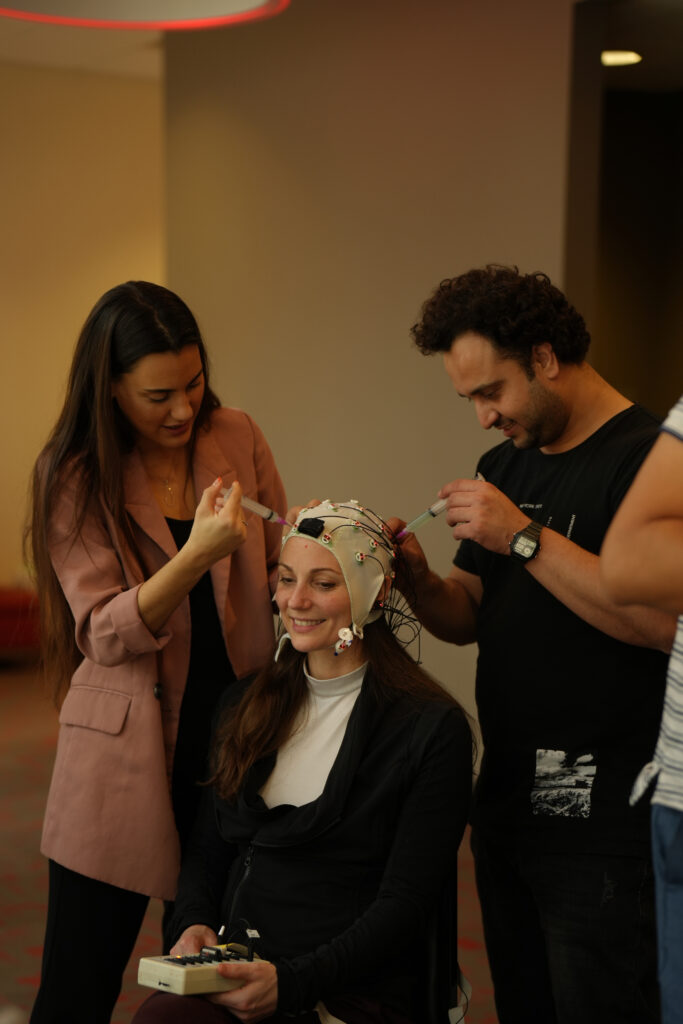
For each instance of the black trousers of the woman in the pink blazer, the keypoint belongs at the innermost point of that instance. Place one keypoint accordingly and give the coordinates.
(91, 933)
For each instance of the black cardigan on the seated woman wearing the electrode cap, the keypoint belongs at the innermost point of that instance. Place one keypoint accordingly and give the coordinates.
(340, 889)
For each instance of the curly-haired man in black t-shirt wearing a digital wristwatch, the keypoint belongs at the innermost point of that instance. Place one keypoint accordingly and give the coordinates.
(570, 686)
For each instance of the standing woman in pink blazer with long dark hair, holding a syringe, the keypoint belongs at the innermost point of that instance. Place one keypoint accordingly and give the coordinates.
(155, 596)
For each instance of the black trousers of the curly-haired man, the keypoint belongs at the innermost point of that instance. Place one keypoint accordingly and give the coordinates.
(570, 937)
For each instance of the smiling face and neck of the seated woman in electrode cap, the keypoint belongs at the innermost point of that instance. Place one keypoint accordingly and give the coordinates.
(315, 606)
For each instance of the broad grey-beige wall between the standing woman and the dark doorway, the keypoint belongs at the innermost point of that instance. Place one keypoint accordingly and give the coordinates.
(326, 169)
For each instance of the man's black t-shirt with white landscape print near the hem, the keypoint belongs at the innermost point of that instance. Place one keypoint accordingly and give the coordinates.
(569, 715)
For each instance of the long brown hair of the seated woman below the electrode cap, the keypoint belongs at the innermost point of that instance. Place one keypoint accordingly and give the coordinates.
(262, 722)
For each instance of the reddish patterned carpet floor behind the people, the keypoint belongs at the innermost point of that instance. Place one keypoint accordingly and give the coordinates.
(28, 735)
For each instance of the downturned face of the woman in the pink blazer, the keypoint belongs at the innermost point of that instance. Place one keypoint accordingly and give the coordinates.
(161, 397)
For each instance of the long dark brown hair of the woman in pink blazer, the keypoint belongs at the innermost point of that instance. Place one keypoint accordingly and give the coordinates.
(91, 439)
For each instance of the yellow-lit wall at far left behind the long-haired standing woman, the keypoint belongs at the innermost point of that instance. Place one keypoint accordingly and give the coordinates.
(81, 209)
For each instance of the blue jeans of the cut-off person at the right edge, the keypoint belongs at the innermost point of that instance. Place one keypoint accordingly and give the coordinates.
(668, 858)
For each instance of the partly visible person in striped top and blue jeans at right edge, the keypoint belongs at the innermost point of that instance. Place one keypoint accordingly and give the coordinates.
(643, 562)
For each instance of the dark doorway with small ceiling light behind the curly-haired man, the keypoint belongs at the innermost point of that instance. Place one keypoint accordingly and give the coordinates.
(624, 267)
